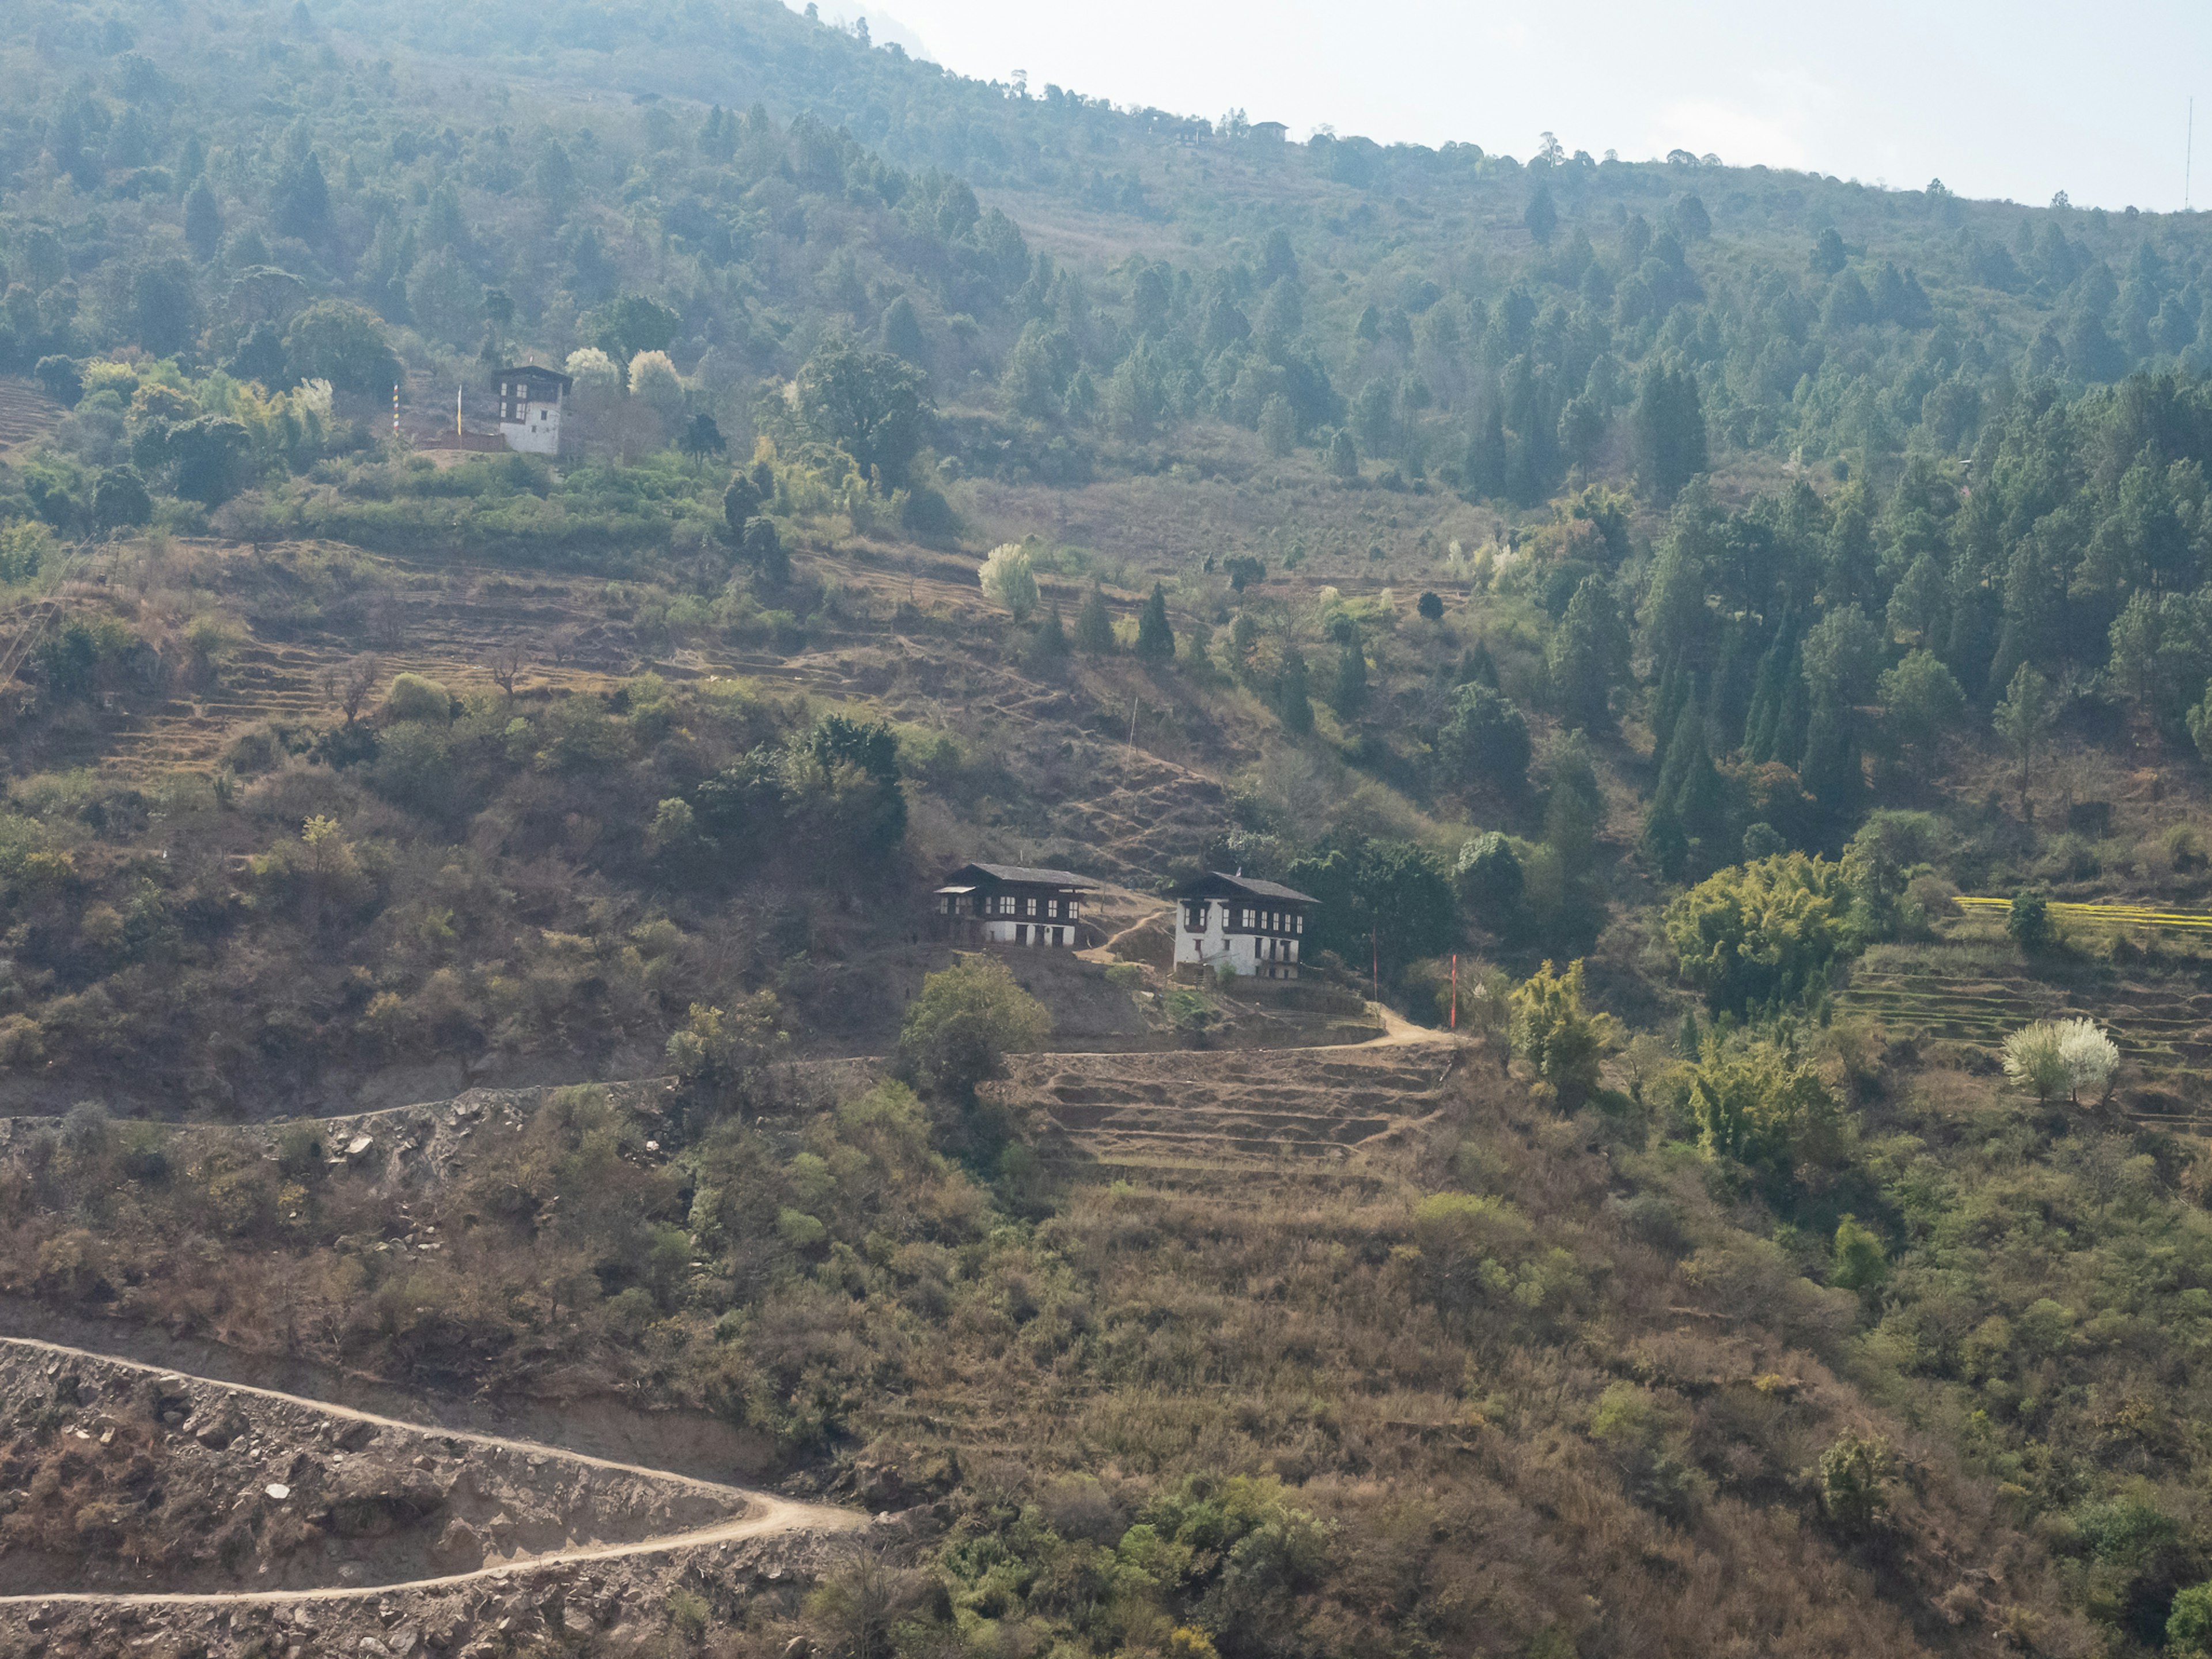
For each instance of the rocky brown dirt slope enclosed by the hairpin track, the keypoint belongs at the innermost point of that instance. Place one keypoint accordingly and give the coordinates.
(123, 1479)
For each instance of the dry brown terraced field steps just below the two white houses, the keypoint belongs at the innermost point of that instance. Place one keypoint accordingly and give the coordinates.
(1255, 1109)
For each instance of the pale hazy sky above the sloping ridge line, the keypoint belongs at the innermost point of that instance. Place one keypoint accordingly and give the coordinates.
(1999, 101)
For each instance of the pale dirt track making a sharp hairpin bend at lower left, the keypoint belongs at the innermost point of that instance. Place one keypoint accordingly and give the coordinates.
(762, 1514)
